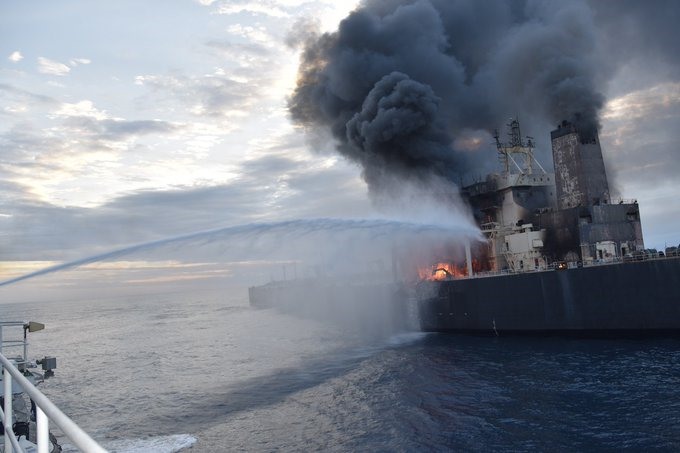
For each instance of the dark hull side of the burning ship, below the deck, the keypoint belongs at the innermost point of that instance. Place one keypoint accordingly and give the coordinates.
(636, 297)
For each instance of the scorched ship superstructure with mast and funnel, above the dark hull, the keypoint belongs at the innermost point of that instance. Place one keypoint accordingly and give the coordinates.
(533, 218)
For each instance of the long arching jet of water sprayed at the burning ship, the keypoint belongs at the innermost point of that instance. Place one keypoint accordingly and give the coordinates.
(246, 235)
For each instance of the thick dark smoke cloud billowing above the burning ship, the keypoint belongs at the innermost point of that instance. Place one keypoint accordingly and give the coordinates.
(400, 78)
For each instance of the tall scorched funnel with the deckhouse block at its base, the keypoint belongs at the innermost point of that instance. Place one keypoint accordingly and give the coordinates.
(586, 225)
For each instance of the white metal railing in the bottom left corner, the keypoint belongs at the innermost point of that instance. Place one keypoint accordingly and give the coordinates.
(45, 411)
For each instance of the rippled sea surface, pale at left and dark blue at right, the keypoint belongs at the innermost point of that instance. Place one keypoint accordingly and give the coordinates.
(206, 373)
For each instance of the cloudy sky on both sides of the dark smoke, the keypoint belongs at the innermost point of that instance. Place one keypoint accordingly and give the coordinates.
(126, 122)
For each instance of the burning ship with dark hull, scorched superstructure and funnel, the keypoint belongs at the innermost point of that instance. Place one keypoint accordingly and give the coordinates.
(560, 255)
